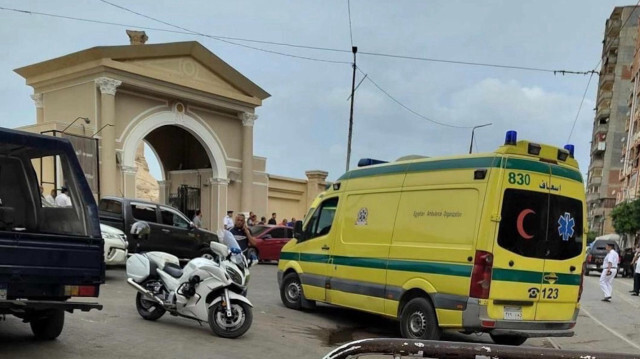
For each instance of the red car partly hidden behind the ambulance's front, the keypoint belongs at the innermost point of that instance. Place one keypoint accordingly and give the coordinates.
(270, 240)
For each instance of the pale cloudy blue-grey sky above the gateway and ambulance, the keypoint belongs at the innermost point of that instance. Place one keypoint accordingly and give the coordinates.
(303, 126)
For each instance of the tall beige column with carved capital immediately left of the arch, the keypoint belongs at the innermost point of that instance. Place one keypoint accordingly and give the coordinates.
(108, 168)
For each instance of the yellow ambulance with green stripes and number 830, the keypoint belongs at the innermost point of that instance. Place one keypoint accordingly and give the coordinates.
(488, 243)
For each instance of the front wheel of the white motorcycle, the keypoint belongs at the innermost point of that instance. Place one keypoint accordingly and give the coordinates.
(234, 326)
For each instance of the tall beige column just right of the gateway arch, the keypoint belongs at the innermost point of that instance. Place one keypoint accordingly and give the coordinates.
(246, 198)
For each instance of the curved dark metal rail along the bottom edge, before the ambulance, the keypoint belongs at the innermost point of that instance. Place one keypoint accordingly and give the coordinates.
(398, 348)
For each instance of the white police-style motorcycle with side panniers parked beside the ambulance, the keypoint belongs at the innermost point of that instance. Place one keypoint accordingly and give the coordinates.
(205, 290)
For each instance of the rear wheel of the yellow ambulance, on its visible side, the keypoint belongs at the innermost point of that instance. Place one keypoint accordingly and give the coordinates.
(418, 320)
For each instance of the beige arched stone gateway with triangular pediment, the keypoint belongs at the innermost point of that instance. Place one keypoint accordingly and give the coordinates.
(193, 109)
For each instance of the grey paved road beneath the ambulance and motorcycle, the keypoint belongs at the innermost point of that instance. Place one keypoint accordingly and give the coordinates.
(277, 332)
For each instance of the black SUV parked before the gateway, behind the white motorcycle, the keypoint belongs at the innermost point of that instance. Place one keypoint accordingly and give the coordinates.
(171, 231)
